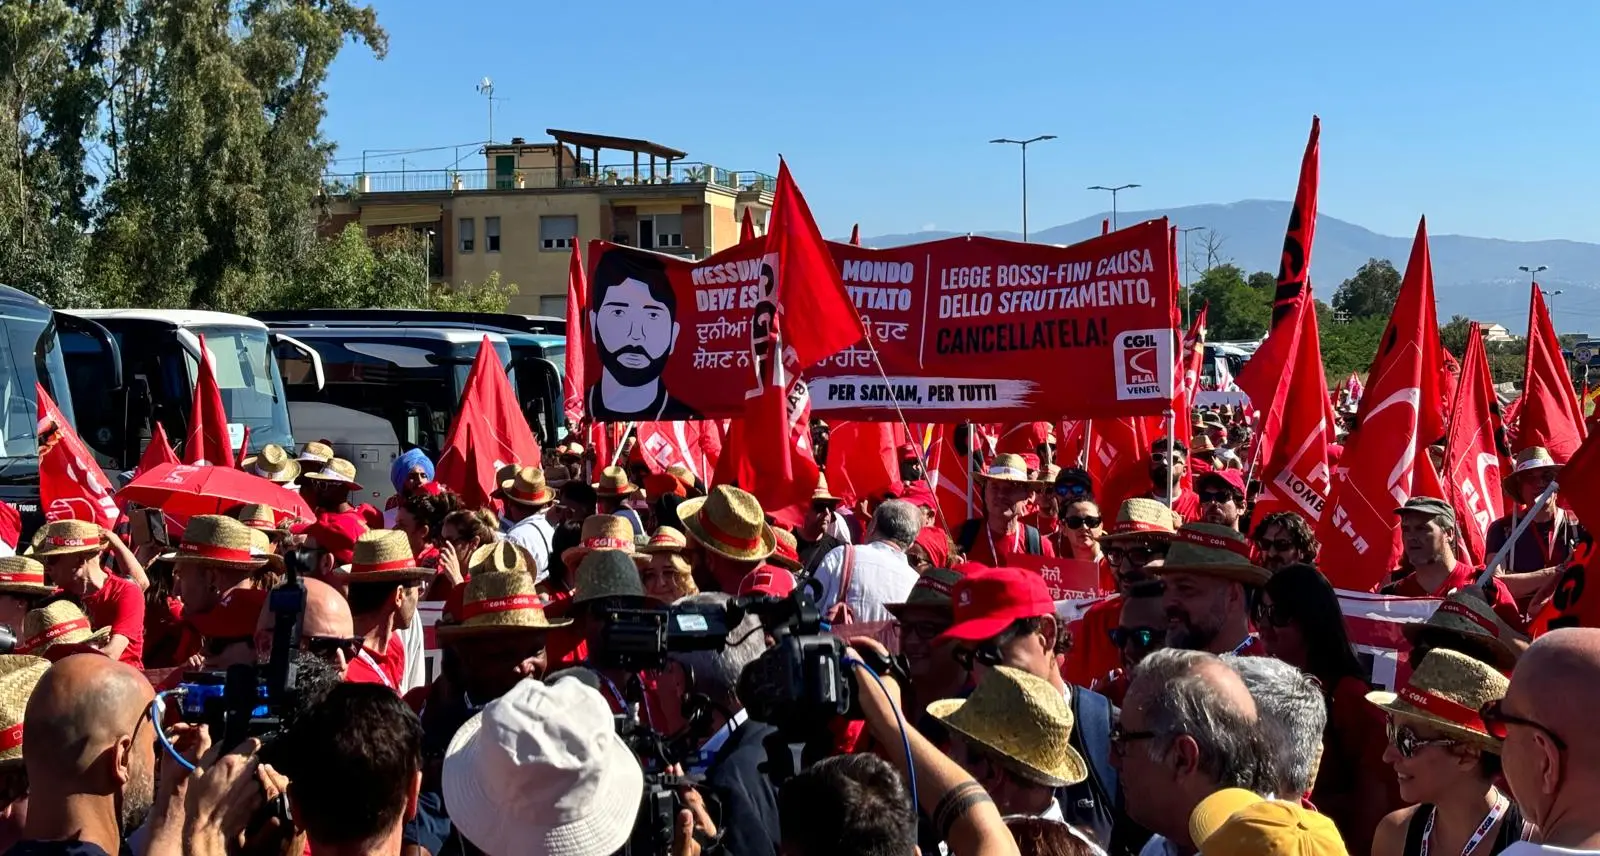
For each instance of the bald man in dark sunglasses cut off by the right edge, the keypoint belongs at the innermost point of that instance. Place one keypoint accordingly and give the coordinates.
(1553, 751)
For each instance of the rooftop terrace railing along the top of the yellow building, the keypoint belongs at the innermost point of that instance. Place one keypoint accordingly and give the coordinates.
(548, 178)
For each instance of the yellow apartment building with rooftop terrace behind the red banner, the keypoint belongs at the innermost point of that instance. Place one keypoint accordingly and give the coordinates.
(526, 207)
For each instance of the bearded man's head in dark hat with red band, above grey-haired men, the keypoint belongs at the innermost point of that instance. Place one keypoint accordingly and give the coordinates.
(1209, 578)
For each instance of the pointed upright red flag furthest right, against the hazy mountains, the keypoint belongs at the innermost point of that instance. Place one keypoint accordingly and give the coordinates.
(1550, 415)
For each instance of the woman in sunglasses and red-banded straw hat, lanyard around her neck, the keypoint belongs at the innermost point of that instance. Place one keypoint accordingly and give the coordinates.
(1447, 761)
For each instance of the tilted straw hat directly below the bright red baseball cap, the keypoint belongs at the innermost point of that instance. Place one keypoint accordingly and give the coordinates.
(1023, 722)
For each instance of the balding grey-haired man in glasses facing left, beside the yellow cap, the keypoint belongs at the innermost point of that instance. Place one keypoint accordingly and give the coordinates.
(1188, 732)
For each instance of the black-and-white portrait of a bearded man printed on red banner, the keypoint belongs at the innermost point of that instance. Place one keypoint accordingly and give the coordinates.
(633, 321)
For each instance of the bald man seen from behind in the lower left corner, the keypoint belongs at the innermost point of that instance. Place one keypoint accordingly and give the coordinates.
(90, 758)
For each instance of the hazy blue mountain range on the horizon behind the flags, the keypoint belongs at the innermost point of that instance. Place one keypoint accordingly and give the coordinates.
(1474, 278)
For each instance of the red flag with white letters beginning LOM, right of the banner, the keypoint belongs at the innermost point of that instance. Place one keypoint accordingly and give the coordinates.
(1297, 476)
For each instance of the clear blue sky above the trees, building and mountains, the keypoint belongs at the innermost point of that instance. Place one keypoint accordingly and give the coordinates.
(1478, 114)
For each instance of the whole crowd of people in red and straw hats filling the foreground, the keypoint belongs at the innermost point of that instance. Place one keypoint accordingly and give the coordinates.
(1212, 703)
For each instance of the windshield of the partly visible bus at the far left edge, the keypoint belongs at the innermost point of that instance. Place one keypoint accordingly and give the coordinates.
(31, 354)
